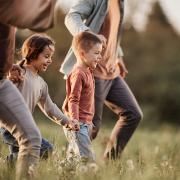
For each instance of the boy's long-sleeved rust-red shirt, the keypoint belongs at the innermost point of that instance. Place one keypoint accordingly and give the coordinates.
(79, 102)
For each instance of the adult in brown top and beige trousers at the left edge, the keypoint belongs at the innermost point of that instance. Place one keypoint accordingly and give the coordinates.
(14, 114)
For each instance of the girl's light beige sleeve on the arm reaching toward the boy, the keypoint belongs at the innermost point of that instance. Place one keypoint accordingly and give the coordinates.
(50, 109)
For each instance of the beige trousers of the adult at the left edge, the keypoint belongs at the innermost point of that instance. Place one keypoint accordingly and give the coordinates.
(17, 119)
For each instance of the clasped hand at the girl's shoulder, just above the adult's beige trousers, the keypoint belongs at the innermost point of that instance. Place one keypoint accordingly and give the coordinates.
(16, 74)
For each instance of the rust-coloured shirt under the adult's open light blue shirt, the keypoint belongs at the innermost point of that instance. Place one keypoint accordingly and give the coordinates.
(108, 67)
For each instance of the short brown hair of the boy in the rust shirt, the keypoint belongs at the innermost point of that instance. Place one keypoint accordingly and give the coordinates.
(85, 41)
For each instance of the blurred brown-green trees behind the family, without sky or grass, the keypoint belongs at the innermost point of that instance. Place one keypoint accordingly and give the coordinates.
(152, 57)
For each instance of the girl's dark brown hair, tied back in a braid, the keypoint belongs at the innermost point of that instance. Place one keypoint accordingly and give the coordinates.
(33, 46)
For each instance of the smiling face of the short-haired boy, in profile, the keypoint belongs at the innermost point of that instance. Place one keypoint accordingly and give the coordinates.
(93, 56)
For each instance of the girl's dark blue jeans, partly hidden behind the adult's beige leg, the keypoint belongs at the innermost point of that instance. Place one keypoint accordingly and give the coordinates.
(46, 147)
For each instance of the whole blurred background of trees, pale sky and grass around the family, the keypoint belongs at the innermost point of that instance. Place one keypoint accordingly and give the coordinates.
(151, 44)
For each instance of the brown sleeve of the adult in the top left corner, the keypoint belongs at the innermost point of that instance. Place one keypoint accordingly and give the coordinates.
(19, 13)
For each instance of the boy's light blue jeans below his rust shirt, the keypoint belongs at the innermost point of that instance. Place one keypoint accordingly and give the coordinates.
(80, 144)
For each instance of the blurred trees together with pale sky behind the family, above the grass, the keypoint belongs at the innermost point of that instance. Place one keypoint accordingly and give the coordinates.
(151, 42)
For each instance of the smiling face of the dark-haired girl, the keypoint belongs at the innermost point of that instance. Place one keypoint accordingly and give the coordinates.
(44, 59)
